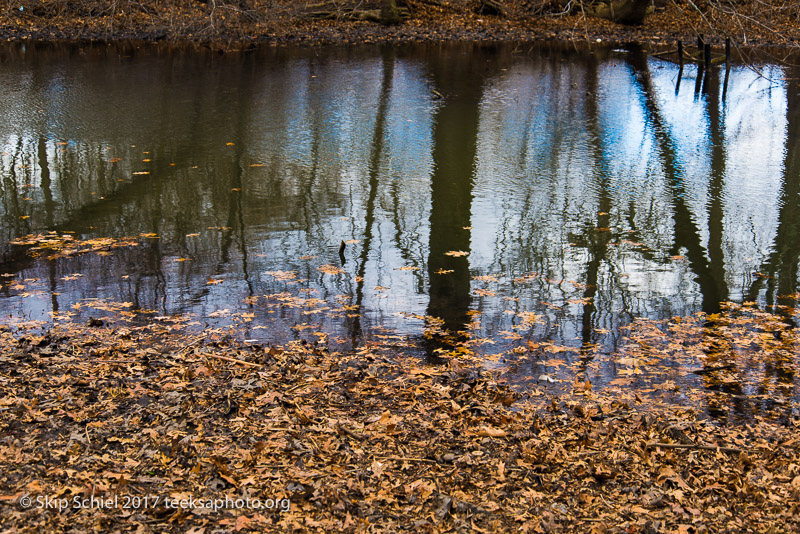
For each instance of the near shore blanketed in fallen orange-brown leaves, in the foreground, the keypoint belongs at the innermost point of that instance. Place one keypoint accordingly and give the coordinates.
(365, 441)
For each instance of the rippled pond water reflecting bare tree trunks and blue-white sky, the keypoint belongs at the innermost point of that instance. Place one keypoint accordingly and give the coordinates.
(538, 193)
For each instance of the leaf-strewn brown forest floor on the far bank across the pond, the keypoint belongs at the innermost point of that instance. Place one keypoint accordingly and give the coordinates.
(236, 24)
